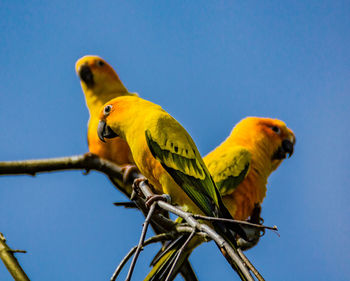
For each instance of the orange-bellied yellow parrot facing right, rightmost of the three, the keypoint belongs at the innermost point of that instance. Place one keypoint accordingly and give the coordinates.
(240, 167)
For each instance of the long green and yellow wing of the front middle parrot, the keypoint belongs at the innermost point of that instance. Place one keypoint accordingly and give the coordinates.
(173, 147)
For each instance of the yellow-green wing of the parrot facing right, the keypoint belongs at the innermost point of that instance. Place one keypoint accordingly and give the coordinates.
(230, 168)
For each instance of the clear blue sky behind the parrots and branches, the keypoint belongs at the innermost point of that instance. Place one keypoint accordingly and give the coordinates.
(209, 65)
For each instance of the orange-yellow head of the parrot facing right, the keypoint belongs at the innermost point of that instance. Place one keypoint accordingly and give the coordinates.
(266, 137)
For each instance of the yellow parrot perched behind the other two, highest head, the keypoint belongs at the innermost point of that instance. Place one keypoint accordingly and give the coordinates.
(100, 83)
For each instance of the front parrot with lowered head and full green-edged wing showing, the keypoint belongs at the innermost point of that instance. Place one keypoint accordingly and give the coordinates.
(167, 156)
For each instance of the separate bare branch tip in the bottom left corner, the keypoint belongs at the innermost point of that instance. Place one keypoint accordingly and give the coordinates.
(11, 263)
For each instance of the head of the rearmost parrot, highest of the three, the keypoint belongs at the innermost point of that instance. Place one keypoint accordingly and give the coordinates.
(95, 73)
